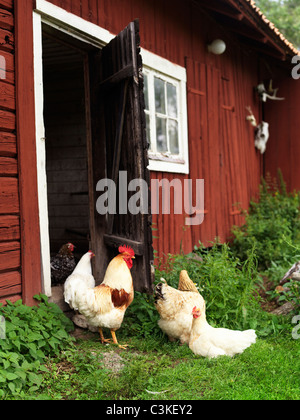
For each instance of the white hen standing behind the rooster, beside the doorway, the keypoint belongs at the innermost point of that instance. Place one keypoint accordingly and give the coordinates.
(81, 277)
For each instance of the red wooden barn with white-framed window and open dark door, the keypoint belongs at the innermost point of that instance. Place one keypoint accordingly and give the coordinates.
(77, 106)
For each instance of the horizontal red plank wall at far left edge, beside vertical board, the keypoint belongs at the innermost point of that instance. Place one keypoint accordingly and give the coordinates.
(10, 257)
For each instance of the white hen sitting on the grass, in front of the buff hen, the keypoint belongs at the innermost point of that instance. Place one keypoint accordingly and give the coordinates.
(213, 342)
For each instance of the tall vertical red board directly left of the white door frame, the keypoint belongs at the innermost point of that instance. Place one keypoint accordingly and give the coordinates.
(25, 109)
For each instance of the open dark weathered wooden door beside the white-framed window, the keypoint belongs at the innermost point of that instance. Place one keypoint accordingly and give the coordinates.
(118, 143)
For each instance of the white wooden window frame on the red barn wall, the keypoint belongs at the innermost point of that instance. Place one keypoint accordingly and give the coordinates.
(155, 65)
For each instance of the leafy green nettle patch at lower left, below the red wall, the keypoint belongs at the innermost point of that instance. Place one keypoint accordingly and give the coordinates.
(31, 335)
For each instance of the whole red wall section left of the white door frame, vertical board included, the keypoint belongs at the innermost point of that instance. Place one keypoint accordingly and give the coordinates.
(19, 219)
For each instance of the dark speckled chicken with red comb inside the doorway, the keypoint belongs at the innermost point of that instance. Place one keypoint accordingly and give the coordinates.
(63, 264)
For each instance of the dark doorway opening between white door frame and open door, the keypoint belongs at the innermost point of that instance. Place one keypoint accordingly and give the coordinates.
(66, 145)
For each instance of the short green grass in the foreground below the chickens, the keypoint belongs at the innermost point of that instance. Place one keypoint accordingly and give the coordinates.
(269, 370)
